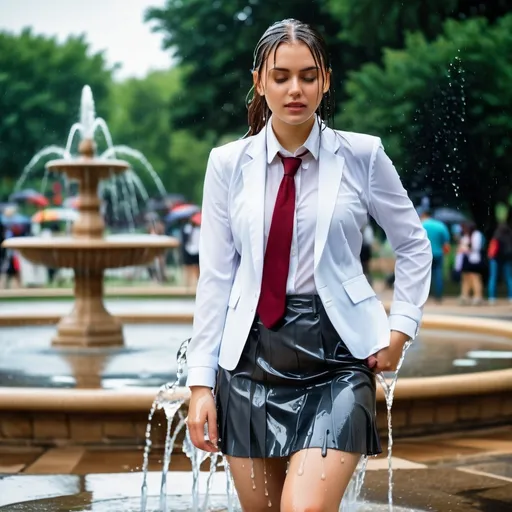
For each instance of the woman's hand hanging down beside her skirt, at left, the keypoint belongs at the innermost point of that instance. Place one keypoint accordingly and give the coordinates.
(201, 412)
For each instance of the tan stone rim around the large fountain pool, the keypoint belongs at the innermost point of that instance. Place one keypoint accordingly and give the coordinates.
(140, 399)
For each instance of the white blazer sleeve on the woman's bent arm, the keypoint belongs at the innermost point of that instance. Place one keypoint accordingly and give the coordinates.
(391, 207)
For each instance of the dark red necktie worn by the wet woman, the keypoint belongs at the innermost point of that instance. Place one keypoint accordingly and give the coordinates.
(272, 303)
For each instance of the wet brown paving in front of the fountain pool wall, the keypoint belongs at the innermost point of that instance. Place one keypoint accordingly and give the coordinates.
(461, 472)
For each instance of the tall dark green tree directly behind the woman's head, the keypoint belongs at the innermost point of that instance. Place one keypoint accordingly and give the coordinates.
(216, 40)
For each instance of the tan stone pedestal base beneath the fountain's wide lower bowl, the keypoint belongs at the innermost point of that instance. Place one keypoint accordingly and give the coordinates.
(89, 324)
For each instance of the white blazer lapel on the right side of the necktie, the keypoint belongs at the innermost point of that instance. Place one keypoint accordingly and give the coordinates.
(329, 179)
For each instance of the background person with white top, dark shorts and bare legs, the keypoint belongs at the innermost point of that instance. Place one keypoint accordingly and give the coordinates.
(471, 246)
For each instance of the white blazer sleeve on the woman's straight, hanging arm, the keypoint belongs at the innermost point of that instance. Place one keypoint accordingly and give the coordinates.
(217, 259)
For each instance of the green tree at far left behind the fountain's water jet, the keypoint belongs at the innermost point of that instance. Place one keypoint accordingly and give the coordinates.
(40, 85)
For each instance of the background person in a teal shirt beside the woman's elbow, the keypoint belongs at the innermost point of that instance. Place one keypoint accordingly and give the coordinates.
(439, 237)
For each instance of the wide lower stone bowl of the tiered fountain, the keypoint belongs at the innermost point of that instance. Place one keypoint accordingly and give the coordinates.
(92, 254)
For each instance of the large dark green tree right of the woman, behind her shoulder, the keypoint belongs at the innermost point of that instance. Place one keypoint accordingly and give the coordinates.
(443, 109)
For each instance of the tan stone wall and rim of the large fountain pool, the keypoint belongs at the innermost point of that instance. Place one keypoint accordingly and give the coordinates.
(423, 405)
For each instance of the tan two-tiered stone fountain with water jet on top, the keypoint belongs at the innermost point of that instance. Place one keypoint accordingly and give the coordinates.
(88, 251)
